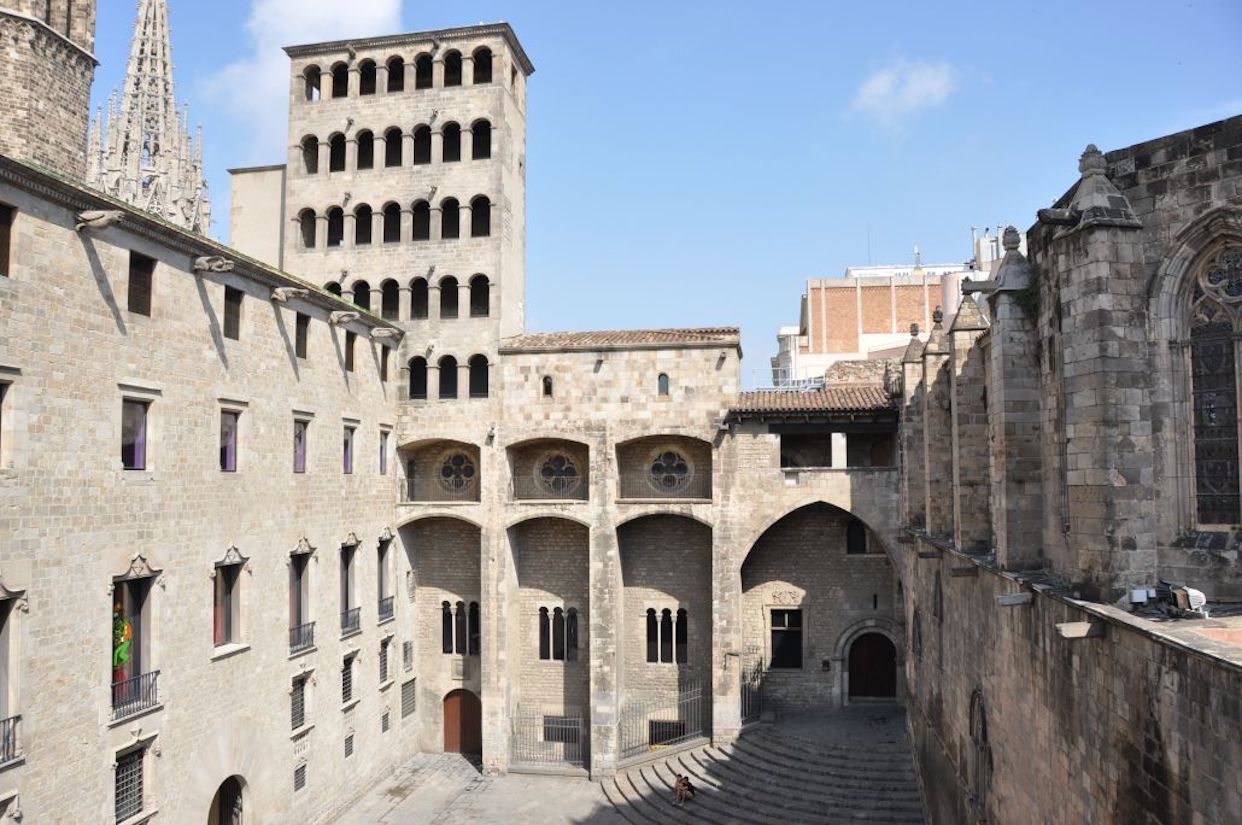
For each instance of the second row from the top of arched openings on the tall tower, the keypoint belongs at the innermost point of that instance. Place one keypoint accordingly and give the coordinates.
(392, 151)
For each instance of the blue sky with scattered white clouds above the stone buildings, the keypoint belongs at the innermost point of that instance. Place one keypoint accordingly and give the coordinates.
(694, 163)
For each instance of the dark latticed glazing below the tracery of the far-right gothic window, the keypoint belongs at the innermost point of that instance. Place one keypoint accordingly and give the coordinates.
(1214, 391)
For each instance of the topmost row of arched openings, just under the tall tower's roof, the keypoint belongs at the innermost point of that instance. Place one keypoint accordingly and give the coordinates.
(396, 74)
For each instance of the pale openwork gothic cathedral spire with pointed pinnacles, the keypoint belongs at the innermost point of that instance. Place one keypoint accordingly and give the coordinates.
(142, 151)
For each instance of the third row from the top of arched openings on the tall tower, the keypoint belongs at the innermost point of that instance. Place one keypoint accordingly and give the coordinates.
(387, 223)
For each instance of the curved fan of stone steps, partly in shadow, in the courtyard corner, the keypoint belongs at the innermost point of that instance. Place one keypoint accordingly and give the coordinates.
(782, 775)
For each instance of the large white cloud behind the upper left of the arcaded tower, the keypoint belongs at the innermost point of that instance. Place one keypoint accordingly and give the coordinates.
(254, 90)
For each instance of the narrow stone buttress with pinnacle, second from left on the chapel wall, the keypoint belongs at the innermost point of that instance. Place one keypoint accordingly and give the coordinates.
(937, 432)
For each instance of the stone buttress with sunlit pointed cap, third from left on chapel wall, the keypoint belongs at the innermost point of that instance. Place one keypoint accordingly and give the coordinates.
(972, 522)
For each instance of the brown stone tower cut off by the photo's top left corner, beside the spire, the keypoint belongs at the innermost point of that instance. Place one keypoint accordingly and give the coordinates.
(47, 76)
